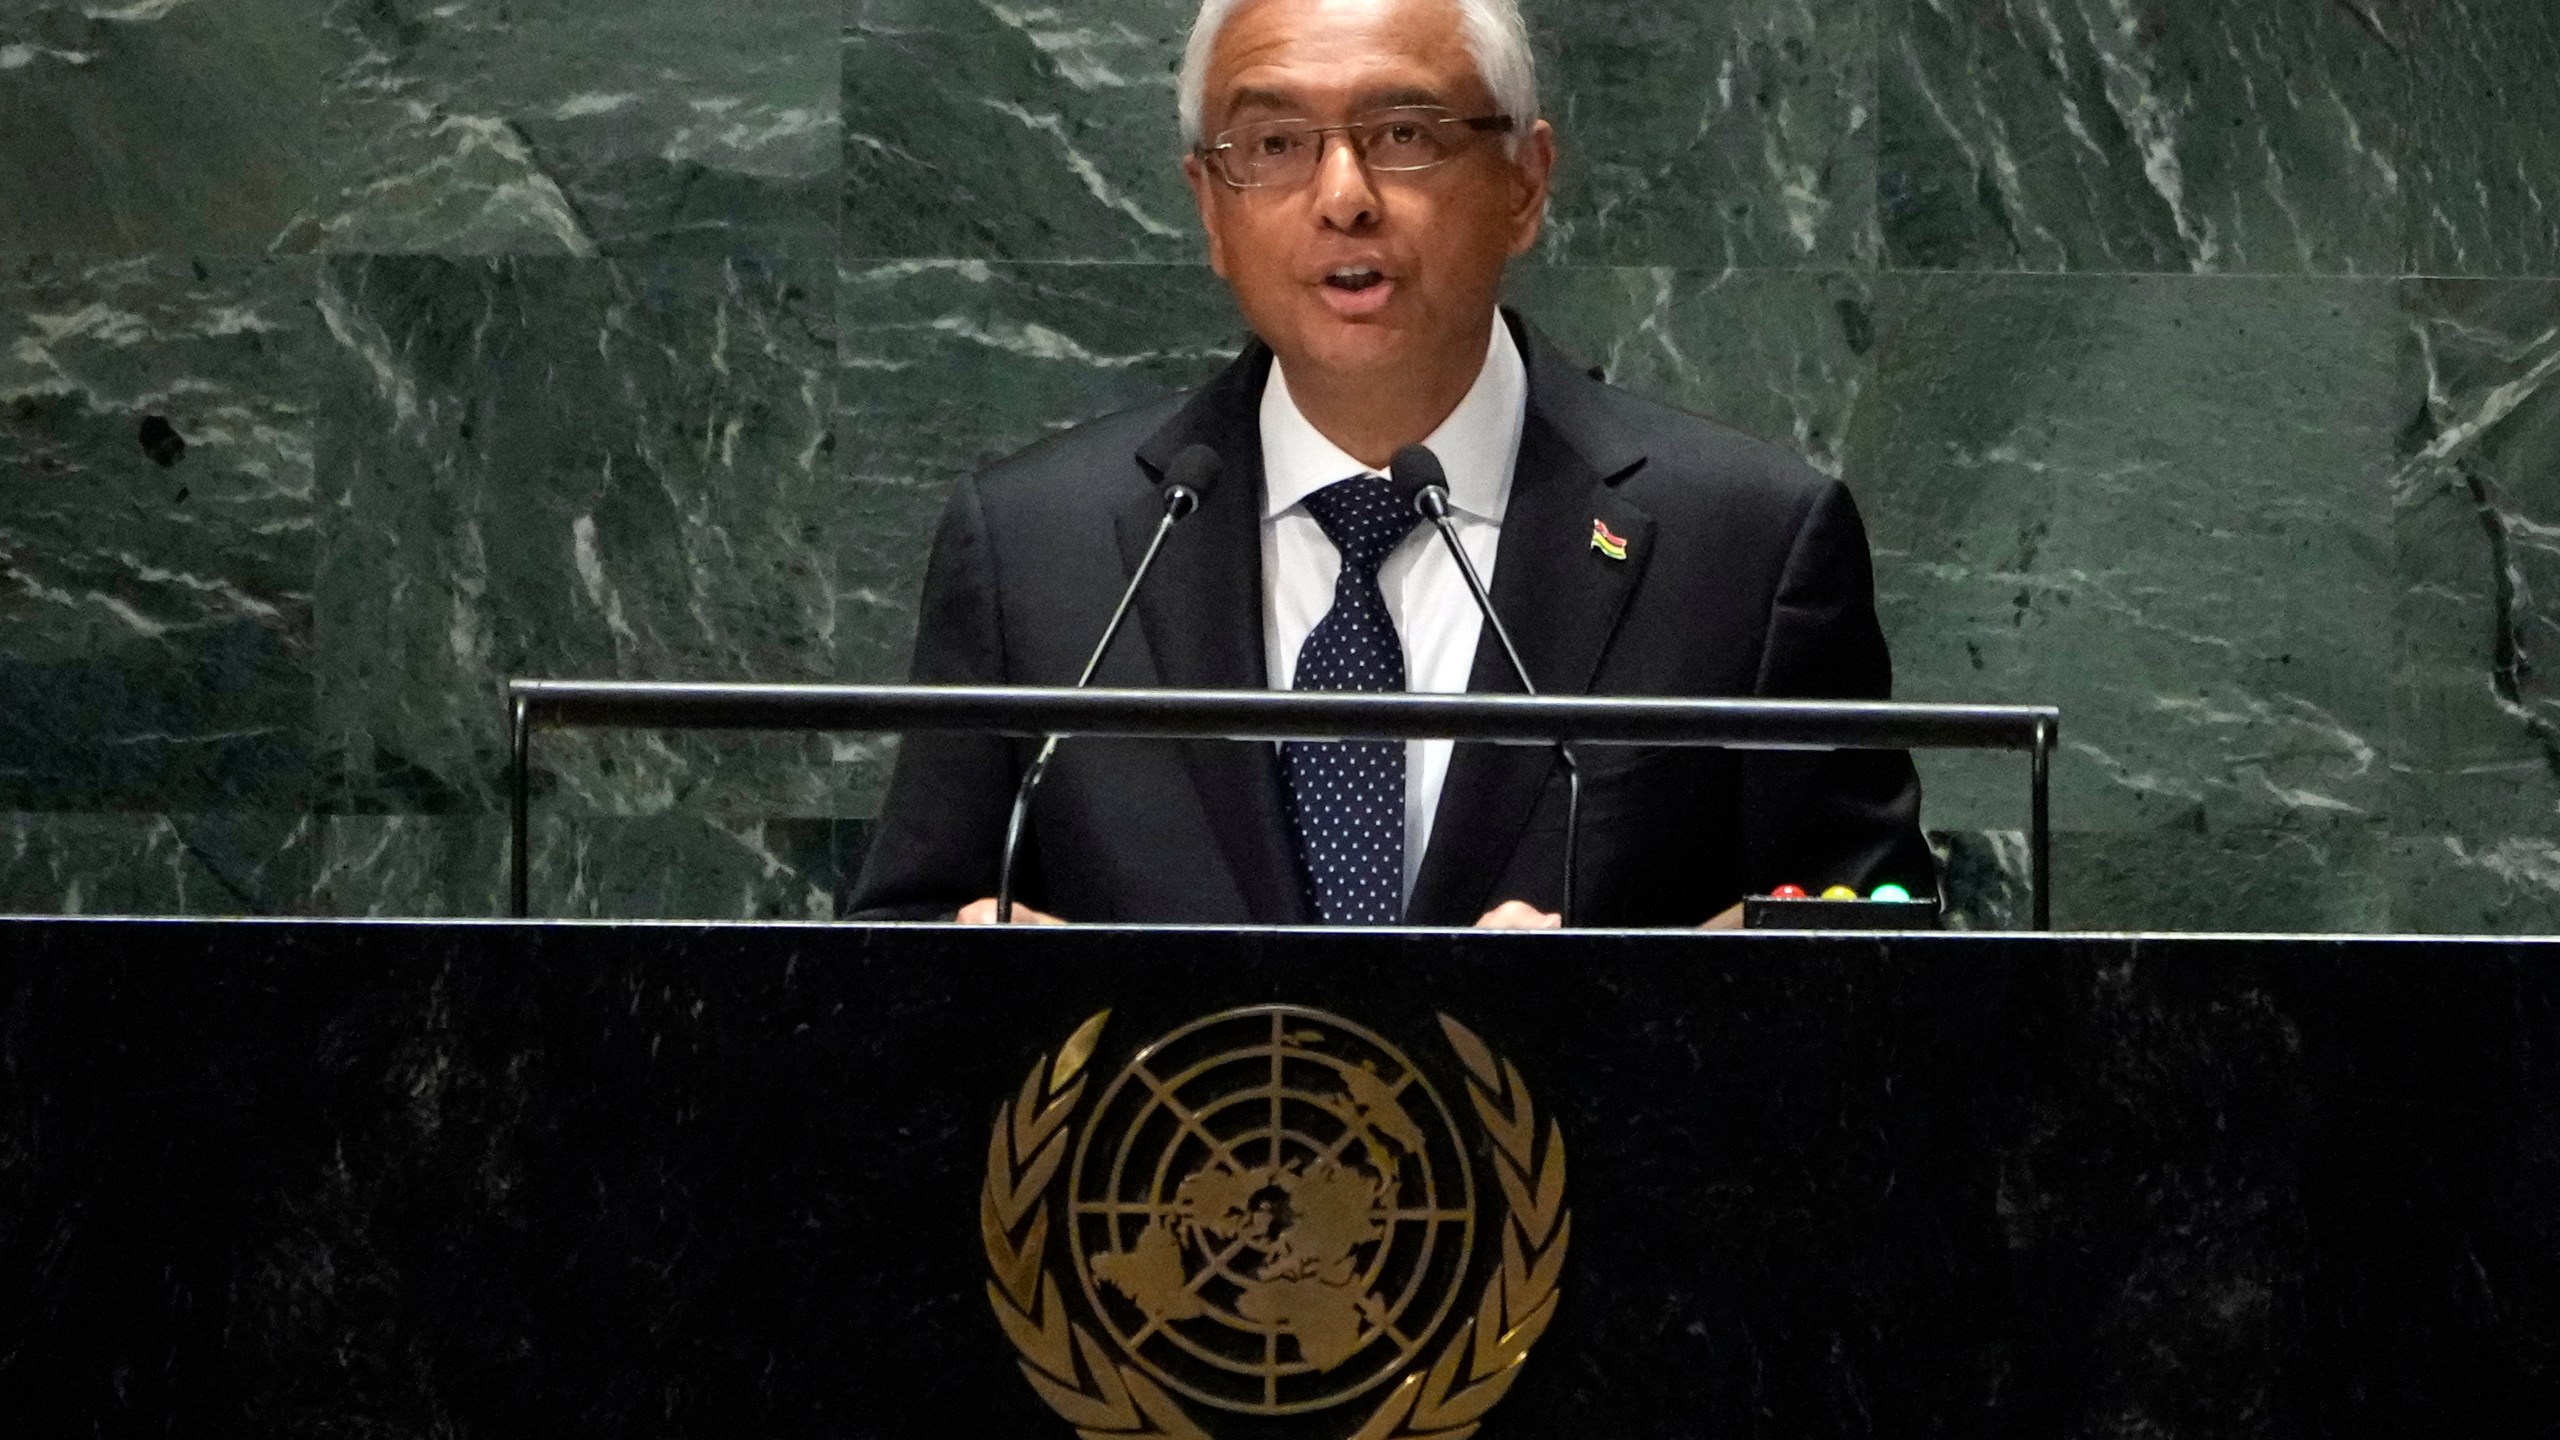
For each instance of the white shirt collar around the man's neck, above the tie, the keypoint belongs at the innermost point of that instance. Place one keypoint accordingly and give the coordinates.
(1478, 445)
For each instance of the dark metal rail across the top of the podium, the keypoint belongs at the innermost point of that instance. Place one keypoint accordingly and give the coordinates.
(1281, 716)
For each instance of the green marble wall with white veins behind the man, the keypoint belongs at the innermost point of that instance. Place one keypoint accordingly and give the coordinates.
(2198, 368)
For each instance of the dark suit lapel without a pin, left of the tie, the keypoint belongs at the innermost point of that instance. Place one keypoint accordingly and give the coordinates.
(1202, 614)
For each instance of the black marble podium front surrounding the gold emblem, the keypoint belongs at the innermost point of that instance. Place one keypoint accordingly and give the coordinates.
(644, 1180)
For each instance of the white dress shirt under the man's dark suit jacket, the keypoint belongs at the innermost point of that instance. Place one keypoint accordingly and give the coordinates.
(1427, 596)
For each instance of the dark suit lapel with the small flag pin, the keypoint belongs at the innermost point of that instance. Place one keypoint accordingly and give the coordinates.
(1560, 596)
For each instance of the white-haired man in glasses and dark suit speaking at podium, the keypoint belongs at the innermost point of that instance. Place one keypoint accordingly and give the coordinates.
(1366, 173)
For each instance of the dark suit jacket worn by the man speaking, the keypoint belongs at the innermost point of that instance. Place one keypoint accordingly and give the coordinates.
(1747, 575)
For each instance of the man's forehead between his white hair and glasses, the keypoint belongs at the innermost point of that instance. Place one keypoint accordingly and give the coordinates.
(1343, 53)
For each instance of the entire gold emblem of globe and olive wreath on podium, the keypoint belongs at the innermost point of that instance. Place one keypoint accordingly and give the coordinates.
(1271, 1213)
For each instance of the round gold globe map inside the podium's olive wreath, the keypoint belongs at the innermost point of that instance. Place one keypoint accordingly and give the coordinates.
(1271, 1211)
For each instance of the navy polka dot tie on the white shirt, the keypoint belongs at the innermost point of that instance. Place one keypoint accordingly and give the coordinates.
(1348, 798)
